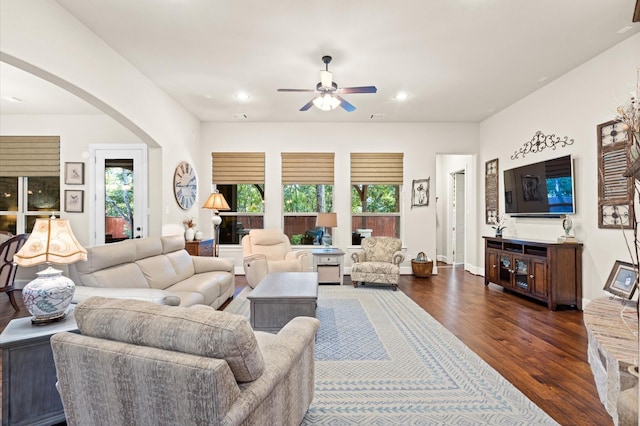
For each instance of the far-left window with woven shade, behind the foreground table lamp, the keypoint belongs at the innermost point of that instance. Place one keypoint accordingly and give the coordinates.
(29, 185)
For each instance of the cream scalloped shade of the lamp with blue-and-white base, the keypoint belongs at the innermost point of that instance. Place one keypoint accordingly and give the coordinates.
(50, 241)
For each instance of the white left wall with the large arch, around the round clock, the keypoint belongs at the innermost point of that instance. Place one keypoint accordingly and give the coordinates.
(77, 60)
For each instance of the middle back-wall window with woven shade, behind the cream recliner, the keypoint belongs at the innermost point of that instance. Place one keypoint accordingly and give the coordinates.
(307, 189)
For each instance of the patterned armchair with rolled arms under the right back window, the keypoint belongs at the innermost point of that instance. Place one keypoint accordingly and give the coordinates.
(378, 261)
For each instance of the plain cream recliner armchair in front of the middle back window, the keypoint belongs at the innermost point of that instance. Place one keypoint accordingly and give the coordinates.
(269, 250)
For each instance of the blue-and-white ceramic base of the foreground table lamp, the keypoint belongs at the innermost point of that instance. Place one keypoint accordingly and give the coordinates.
(48, 296)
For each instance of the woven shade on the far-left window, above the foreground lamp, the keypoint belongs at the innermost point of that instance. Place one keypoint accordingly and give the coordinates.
(29, 156)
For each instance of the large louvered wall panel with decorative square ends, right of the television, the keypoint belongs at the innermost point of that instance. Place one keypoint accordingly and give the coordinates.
(615, 191)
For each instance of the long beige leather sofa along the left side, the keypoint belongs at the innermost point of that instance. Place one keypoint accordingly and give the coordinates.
(155, 269)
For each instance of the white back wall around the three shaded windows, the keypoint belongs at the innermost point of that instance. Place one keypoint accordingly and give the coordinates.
(418, 142)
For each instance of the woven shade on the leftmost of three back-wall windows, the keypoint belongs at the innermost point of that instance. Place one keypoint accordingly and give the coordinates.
(232, 168)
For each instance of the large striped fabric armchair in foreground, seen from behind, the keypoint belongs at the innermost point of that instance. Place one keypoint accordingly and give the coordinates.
(162, 365)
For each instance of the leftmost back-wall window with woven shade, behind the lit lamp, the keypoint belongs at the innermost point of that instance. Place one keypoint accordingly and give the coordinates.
(239, 176)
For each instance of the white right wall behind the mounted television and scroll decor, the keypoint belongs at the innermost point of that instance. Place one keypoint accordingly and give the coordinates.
(573, 105)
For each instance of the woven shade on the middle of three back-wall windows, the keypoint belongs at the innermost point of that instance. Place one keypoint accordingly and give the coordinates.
(307, 168)
